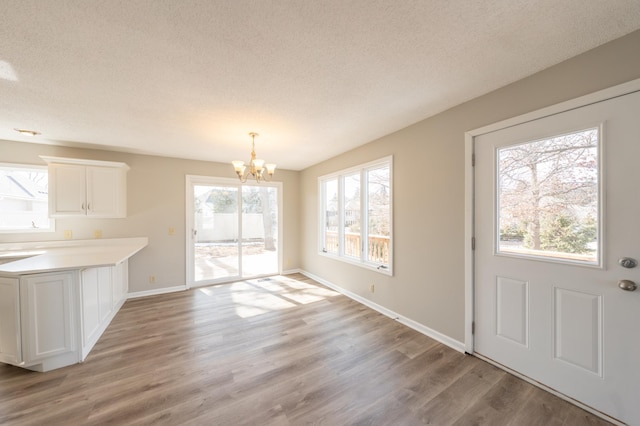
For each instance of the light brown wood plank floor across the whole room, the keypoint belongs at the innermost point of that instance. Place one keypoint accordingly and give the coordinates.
(282, 351)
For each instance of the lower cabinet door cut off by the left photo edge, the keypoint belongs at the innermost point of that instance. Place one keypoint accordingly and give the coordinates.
(10, 334)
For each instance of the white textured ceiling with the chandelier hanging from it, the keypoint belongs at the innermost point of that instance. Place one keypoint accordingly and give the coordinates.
(190, 79)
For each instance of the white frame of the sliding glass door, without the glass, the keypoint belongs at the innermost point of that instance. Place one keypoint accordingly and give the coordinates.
(190, 181)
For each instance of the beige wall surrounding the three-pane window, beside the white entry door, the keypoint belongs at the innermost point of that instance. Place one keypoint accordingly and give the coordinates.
(428, 284)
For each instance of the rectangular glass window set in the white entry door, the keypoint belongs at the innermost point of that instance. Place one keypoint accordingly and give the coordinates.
(549, 204)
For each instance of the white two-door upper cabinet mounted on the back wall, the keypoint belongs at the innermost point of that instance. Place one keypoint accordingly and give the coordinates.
(87, 188)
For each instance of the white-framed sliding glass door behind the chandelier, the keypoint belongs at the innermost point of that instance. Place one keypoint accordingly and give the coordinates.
(233, 230)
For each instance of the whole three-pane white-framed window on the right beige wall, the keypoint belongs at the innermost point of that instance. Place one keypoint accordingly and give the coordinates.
(356, 208)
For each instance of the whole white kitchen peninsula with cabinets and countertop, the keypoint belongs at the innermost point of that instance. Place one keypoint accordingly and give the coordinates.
(58, 297)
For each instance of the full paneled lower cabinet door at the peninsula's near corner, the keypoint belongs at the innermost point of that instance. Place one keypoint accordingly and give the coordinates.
(48, 314)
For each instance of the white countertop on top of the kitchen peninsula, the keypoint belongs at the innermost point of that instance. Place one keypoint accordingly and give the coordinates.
(60, 255)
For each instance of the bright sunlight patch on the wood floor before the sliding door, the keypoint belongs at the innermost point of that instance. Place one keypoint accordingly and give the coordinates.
(260, 296)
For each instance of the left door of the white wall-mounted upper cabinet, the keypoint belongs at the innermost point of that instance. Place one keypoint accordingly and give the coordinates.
(67, 186)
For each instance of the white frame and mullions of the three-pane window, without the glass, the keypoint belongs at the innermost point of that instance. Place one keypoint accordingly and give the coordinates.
(339, 176)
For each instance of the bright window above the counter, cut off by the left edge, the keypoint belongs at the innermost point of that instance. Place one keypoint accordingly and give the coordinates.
(24, 199)
